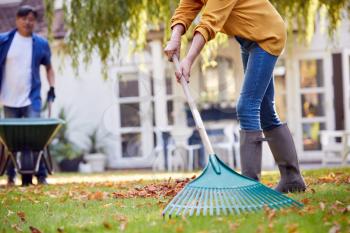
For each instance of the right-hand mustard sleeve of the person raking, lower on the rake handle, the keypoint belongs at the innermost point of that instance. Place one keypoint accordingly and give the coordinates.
(214, 17)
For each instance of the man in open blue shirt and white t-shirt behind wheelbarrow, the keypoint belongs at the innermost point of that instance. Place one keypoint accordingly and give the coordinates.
(21, 54)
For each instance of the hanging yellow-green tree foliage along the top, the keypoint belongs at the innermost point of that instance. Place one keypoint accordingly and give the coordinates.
(99, 25)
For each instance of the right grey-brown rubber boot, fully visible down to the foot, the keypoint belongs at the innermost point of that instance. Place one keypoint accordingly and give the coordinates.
(283, 149)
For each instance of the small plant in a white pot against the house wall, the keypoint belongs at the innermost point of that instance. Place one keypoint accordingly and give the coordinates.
(95, 154)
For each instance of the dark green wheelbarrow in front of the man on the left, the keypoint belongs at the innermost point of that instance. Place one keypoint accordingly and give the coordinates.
(32, 135)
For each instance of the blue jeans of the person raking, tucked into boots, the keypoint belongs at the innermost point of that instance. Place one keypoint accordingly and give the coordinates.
(256, 105)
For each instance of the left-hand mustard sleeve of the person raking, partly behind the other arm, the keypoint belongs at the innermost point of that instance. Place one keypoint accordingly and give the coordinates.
(186, 12)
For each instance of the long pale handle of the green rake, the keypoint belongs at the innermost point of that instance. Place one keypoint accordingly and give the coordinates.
(197, 118)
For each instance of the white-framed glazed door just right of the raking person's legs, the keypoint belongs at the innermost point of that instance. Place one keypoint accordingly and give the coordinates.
(314, 102)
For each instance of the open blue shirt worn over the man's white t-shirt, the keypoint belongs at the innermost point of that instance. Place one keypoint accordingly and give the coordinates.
(41, 56)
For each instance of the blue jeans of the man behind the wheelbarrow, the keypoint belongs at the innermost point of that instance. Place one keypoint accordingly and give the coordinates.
(23, 112)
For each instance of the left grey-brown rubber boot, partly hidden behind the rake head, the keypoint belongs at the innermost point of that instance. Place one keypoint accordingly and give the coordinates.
(251, 153)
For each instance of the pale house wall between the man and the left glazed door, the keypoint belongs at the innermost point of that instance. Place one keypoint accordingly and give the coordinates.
(85, 98)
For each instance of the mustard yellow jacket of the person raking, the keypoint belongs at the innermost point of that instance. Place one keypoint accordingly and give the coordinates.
(255, 20)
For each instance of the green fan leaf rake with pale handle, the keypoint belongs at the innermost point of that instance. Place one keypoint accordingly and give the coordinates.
(219, 189)
